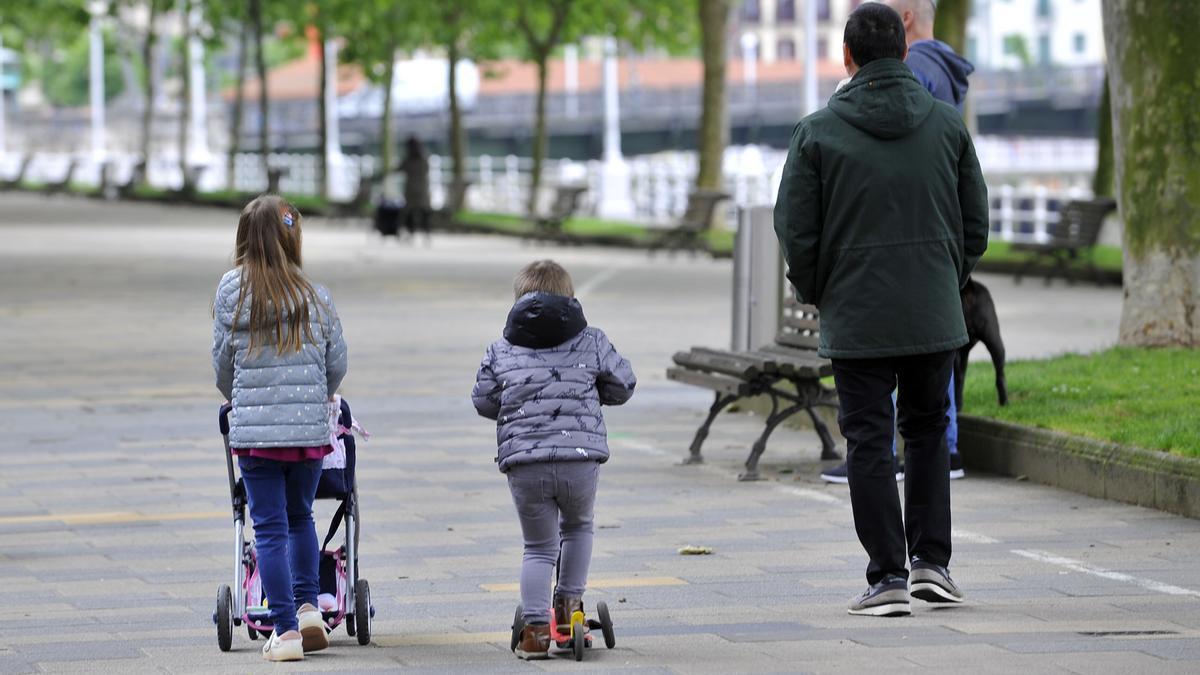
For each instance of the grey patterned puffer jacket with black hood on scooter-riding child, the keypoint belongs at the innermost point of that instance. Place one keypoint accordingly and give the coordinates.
(545, 381)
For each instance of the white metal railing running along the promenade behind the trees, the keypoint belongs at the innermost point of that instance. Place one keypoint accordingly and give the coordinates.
(1025, 193)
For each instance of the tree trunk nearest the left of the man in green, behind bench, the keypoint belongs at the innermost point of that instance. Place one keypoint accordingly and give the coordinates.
(715, 133)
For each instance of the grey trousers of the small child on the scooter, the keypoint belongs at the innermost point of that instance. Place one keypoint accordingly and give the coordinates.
(555, 504)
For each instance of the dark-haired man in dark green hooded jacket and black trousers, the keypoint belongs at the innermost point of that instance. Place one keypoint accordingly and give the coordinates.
(883, 214)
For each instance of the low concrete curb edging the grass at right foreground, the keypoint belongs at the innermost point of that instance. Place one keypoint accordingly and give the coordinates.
(1099, 469)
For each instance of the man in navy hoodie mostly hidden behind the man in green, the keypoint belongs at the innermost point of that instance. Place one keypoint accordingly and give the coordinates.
(941, 71)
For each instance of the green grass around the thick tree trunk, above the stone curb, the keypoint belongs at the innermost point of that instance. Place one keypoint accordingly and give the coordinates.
(1143, 398)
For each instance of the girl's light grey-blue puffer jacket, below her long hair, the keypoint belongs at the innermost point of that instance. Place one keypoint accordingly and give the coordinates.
(279, 401)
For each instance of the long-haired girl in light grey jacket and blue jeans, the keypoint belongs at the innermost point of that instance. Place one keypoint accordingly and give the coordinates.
(279, 356)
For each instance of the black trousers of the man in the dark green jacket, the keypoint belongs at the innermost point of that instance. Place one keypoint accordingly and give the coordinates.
(867, 415)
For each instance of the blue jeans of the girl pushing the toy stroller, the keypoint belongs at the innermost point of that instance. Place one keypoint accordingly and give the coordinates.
(281, 495)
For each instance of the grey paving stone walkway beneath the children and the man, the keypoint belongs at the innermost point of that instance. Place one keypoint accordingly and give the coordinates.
(115, 525)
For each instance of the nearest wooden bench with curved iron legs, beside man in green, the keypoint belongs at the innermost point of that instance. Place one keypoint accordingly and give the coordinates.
(789, 372)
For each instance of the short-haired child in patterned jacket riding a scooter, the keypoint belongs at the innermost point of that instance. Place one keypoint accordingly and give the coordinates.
(544, 384)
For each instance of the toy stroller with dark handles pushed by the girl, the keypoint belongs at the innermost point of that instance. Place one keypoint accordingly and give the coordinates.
(339, 569)
